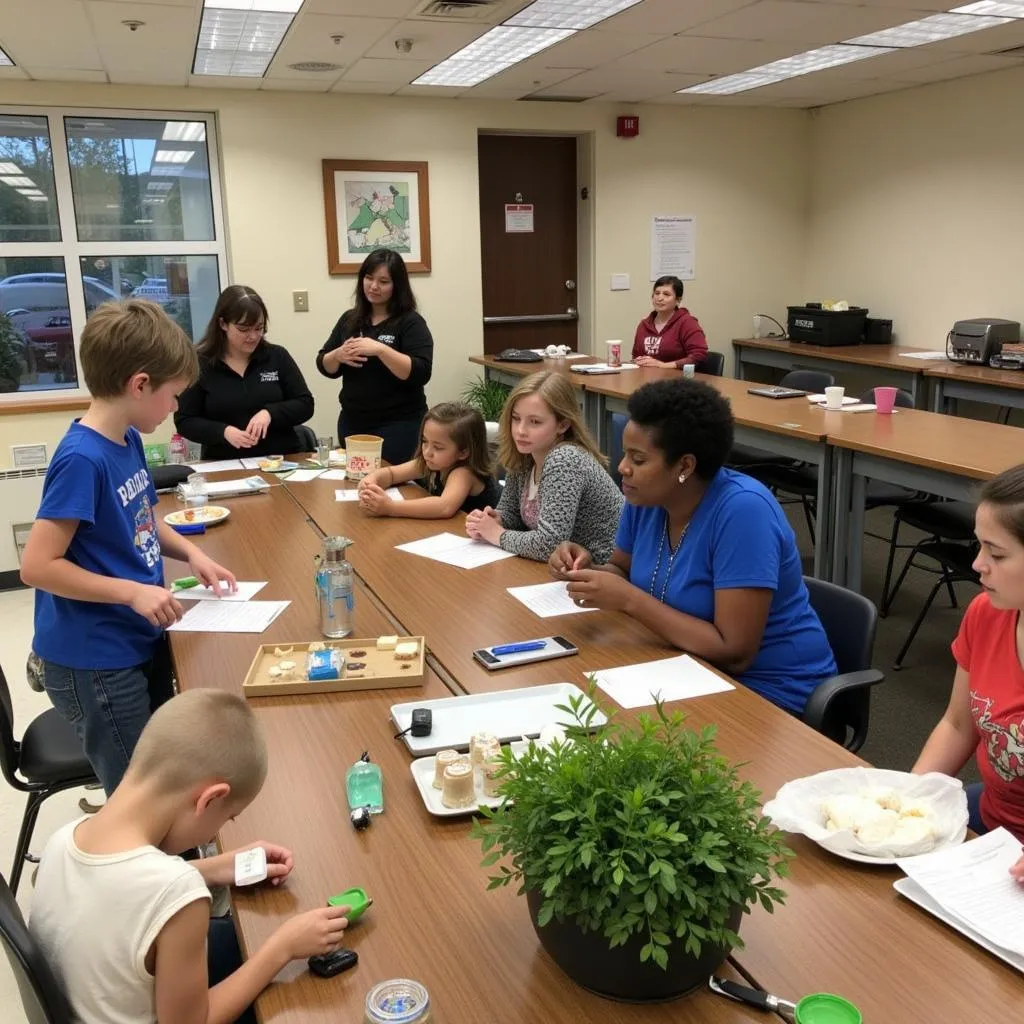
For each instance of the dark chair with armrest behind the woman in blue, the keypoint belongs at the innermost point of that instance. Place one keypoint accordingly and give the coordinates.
(839, 707)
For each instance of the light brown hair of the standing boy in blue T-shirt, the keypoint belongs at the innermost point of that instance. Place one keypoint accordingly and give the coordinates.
(122, 339)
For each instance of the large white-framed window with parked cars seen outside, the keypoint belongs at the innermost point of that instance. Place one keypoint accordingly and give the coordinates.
(98, 207)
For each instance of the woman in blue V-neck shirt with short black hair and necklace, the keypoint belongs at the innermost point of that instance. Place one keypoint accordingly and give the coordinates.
(705, 557)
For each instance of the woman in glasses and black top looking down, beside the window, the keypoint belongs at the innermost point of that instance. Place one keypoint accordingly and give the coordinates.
(250, 396)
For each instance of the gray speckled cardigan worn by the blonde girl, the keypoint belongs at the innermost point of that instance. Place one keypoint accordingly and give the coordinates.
(578, 501)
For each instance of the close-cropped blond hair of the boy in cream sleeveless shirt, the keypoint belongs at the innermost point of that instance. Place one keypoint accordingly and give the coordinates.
(202, 737)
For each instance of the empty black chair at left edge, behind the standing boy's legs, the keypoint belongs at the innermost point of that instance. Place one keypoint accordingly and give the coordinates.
(49, 760)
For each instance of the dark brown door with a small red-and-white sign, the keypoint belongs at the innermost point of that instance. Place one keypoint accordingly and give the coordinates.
(529, 241)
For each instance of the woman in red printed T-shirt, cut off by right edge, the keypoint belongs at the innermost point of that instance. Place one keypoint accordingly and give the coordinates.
(986, 716)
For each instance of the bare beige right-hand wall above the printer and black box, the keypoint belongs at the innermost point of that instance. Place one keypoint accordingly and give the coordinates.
(917, 209)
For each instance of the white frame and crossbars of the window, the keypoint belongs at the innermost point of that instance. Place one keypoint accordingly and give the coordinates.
(71, 250)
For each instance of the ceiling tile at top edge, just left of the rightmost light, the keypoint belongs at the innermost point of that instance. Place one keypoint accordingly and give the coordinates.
(803, 24)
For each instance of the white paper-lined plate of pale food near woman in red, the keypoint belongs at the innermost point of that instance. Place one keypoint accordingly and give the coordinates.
(874, 816)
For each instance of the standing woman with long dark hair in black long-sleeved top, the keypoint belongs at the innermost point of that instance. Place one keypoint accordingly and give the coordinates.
(383, 353)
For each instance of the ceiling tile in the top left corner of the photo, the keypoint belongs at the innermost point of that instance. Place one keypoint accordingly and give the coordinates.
(30, 38)
